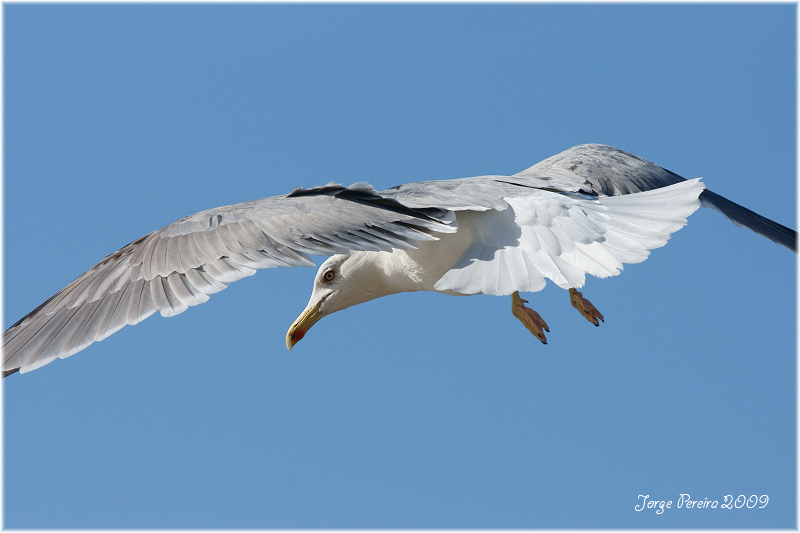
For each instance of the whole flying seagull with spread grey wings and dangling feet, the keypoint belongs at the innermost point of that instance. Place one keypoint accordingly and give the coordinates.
(587, 210)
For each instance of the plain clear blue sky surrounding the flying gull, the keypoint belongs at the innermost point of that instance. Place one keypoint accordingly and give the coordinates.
(416, 410)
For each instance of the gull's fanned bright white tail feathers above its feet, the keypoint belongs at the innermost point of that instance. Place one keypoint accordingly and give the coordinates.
(565, 236)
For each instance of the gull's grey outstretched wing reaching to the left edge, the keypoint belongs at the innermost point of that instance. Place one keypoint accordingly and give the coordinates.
(180, 265)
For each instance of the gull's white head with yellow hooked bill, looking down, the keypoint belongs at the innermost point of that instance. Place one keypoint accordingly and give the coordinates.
(342, 281)
